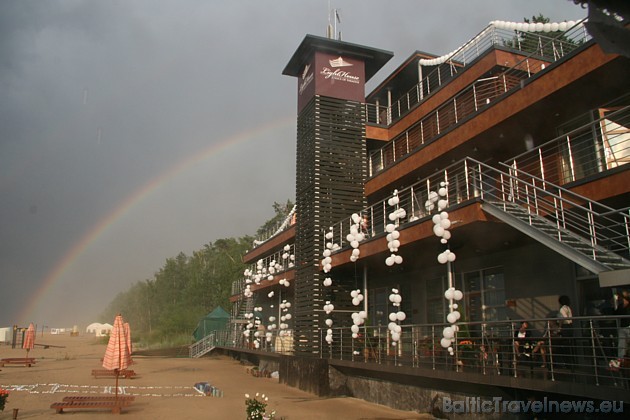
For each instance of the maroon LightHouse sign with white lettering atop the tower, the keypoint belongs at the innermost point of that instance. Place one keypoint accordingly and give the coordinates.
(335, 76)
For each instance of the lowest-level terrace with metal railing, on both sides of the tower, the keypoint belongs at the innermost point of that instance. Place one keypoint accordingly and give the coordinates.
(578, 359)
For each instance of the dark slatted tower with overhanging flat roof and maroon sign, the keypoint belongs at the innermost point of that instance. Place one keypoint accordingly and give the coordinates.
(331, 162)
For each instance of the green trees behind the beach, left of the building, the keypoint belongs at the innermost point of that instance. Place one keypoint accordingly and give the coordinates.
(186, 287)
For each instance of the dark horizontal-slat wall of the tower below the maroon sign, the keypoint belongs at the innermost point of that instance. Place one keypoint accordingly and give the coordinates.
(331, 170)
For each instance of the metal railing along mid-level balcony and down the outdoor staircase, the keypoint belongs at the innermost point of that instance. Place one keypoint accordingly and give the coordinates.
(600, 226)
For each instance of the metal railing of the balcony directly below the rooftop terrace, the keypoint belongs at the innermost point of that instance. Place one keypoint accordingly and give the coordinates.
(472, 99)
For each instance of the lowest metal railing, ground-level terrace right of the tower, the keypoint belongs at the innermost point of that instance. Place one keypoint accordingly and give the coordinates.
(585, 351)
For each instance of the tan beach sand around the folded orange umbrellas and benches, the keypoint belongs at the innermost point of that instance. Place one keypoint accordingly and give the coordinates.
(164, 387)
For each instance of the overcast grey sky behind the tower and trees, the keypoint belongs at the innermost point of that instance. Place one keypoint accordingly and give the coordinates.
(101, 99)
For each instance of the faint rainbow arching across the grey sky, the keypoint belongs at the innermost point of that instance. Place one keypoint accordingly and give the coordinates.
(134, 199)
